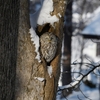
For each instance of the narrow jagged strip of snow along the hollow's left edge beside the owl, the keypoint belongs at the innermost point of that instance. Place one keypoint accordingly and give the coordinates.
(35, 39)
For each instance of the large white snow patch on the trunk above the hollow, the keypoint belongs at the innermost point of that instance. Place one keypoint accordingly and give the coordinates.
(45, 16)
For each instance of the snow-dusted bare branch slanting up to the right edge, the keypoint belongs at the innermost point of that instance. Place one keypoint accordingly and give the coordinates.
(81, 77)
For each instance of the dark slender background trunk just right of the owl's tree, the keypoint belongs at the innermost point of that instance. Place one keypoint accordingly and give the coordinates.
(66, 66)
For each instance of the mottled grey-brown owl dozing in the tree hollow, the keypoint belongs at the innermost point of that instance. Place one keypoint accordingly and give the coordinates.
(48, 46)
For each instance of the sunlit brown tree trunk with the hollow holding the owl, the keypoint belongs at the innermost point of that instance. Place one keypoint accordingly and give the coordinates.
(27, 86)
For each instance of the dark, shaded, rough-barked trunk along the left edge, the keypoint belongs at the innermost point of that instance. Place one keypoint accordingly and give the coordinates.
(9, 18)
